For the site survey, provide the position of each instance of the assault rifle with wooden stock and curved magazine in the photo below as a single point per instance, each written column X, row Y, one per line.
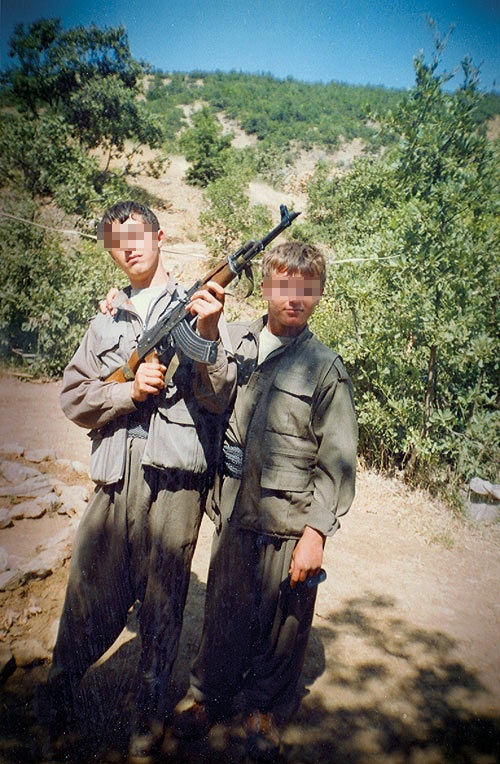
column 173, row 329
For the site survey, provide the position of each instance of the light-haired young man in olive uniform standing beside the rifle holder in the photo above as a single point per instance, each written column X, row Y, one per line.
column 288, row 474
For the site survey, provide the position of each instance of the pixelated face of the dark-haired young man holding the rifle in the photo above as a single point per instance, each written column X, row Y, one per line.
column 135, row 248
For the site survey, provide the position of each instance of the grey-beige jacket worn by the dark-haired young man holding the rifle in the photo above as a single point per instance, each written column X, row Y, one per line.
column 185, row 421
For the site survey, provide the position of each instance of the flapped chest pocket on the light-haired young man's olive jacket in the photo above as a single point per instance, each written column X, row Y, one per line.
column 290, row 404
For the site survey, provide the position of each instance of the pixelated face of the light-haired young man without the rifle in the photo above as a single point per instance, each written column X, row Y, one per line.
column 291, row 299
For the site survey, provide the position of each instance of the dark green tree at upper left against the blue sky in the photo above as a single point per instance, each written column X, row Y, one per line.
column 86, row 75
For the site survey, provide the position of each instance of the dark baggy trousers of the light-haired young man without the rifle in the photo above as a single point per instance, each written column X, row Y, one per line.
column 256, row 628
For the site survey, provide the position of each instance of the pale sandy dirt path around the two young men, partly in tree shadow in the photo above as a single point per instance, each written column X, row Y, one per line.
column 403, row 663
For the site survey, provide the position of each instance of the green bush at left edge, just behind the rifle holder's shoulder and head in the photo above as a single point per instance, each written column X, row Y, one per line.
column 47, row 293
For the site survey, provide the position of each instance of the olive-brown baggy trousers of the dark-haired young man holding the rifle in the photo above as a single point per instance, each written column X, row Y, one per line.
column 135, row 542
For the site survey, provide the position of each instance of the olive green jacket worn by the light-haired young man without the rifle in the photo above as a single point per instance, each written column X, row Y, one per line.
column 294, row 417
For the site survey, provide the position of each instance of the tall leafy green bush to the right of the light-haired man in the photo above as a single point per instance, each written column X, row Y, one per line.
column 418, row 326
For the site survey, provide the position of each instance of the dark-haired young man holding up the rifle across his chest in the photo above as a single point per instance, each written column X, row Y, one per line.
column 154, row 447
